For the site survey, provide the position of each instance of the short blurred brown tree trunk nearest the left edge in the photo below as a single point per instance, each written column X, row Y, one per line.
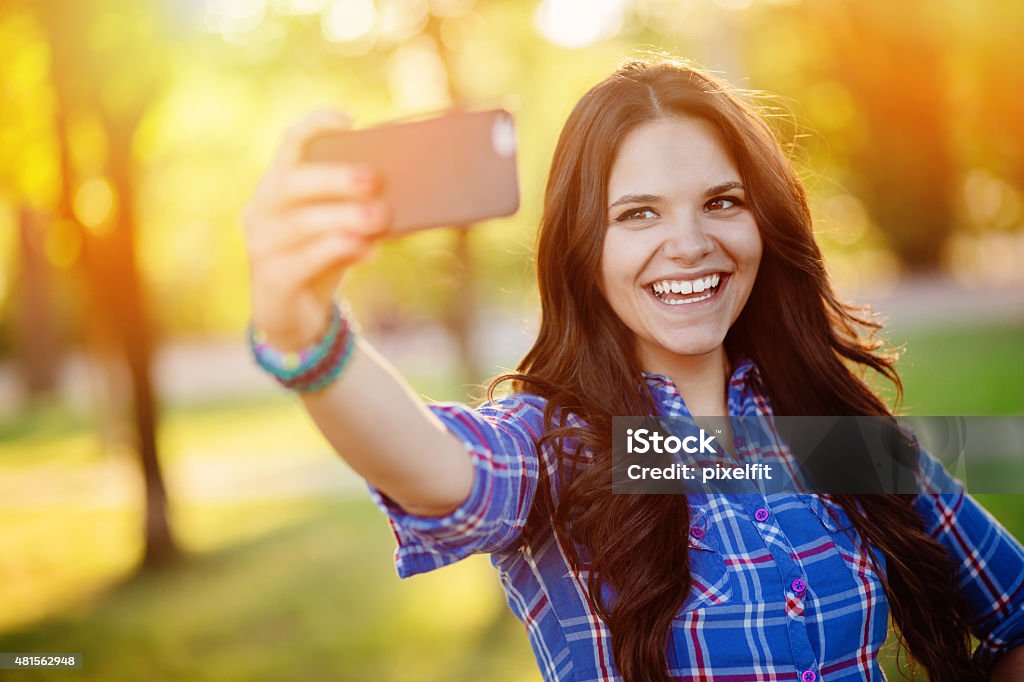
column 38, row 349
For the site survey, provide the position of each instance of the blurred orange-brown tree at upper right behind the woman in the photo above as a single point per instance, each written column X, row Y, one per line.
column 894, row 65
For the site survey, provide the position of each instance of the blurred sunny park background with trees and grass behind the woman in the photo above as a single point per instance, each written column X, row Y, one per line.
column 170, row 515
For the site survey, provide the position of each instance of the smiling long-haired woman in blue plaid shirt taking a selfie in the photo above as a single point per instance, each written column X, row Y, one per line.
column 678, row 276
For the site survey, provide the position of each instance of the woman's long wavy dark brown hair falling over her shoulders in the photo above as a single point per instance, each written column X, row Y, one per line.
column 584, row 363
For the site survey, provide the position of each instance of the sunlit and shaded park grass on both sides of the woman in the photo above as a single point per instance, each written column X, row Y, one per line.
column 306, row 589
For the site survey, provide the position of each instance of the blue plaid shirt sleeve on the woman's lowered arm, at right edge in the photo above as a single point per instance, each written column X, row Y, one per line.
column 991, row 561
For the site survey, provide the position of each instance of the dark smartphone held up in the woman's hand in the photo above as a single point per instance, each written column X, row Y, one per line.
column 454, row 169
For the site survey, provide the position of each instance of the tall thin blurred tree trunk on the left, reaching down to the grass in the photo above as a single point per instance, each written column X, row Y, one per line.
column 117, row 303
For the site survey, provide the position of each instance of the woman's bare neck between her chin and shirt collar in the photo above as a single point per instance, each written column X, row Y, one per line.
column 701, row 380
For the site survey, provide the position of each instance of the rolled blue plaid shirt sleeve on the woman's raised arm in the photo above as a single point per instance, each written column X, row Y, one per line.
column 500, row 439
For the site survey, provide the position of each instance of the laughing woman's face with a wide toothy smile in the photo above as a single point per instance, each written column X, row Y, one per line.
column 681, row 251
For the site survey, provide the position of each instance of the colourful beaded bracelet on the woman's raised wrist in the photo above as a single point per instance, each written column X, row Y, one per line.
column 314, row 368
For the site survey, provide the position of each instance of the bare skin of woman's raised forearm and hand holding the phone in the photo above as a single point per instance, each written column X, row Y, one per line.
column 306, row 227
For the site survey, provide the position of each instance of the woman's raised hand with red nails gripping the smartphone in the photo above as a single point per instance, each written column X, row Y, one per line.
column 306, row 226
